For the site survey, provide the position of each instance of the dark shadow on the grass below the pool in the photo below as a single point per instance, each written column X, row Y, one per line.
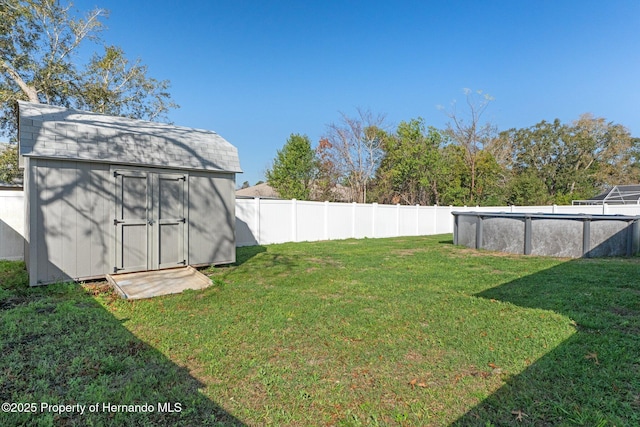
column 591, row 379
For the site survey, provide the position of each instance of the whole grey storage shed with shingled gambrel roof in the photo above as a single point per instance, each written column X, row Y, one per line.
column 110, row 195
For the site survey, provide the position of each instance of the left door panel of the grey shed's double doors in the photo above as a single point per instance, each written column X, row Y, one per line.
column 132, row 224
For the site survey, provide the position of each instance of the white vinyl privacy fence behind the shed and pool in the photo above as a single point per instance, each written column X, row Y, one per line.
column 267, row 221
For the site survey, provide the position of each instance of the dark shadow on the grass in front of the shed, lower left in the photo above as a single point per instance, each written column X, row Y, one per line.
column 60, row 346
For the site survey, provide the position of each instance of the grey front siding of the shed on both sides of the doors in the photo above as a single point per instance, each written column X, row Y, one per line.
column 71, row 206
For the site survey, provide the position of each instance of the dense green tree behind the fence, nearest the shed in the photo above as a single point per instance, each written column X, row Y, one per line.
column 293, row 169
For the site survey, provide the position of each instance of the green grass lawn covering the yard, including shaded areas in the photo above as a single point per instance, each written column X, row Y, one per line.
column 401, row 332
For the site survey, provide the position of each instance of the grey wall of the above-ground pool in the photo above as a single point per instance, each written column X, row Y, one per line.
column 561, row 235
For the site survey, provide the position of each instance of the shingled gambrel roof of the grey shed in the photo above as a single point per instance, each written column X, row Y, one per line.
column 59, row 133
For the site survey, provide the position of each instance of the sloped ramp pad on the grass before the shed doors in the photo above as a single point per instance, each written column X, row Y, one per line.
column 148, row 284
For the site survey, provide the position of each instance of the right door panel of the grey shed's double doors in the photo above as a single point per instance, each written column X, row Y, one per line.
column 169, row 207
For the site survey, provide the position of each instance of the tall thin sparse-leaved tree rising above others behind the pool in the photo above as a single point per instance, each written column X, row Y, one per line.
column 470, row 134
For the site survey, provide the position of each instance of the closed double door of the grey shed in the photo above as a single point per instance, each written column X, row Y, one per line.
column 150, row 220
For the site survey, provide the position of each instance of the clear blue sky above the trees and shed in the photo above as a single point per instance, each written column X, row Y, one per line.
column 258, row 71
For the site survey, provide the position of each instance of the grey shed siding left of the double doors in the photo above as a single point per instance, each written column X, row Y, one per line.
column 71, row 204
